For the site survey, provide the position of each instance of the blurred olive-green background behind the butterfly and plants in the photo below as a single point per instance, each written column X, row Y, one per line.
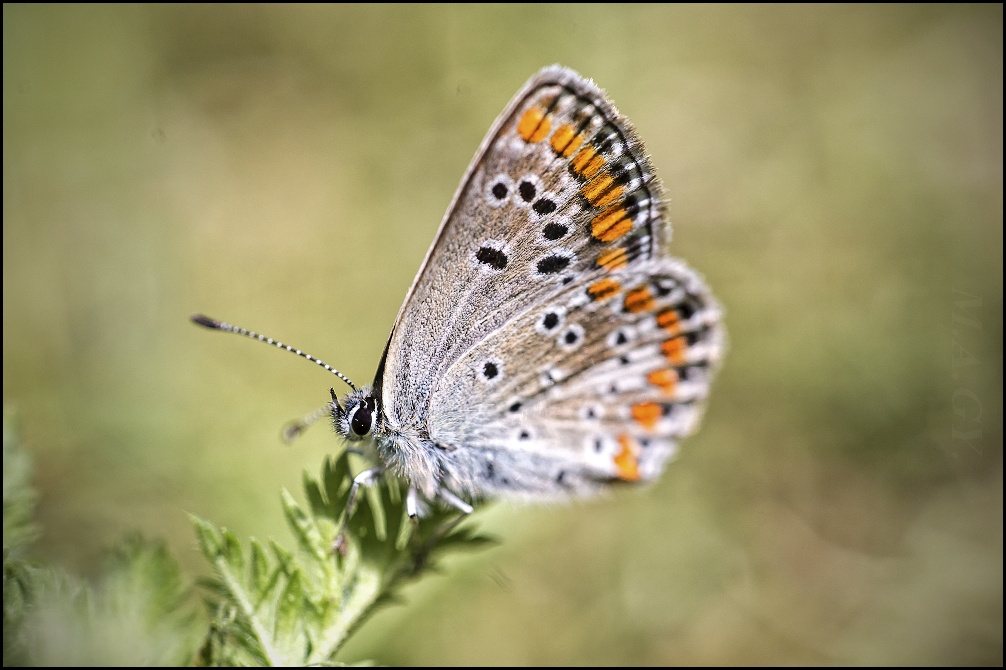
column 835, row 173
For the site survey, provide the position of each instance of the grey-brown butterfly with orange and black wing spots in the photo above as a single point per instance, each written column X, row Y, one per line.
column 549, row 347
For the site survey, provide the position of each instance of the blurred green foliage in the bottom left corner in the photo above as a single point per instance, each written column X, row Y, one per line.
column 136, row 612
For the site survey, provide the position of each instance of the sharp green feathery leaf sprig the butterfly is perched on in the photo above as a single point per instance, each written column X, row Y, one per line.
column 274, row 607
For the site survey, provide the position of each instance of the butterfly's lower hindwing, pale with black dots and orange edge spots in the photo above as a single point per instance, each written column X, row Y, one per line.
column 598, row 391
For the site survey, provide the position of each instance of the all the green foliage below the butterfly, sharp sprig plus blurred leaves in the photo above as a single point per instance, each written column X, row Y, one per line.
column 266, row 605
